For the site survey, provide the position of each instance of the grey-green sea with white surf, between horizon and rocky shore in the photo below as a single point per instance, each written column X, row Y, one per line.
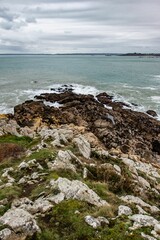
column 131, row 79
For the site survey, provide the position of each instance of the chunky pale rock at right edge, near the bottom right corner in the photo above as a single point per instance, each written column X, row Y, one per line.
column 142, row 221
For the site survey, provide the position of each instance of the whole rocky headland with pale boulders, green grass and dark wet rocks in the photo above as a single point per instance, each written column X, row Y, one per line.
column 79, row 167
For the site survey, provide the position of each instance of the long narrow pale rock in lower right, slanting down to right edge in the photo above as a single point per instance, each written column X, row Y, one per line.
column 138, row 201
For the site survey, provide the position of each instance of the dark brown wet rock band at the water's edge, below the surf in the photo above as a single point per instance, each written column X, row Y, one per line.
column 118, row 127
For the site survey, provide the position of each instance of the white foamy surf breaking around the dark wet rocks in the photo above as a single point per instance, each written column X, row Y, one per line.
column 29, row 94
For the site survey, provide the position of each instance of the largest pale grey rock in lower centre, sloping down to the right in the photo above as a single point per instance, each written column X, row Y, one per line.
column 77, row 190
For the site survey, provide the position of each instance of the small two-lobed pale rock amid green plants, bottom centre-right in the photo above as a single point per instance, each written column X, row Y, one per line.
column 96, row 222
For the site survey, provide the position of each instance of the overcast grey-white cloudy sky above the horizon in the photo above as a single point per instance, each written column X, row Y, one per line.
column 69, row 26
